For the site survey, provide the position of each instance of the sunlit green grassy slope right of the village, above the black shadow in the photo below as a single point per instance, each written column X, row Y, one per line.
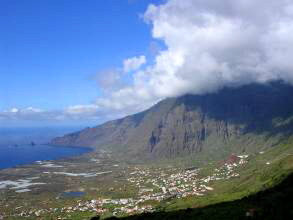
column 255, row 176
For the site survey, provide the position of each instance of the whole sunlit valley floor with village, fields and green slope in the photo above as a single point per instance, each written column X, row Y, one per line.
column 99, row 184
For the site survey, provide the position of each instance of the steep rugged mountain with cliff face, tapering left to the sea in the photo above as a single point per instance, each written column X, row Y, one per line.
column 244, row 119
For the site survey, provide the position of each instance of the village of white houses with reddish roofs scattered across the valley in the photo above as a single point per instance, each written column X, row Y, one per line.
column 153, row 185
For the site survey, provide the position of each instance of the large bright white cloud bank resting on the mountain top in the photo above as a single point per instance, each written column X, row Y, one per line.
column 209, row 44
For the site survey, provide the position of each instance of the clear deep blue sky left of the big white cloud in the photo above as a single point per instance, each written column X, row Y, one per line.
column 50, row 49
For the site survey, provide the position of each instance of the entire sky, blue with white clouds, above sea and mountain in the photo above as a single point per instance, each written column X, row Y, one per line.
column 82, row 62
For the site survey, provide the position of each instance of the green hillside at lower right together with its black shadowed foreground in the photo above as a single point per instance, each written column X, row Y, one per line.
column 263, row 191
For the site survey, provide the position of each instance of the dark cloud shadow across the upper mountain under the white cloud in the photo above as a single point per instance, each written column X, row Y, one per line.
column 253, row 105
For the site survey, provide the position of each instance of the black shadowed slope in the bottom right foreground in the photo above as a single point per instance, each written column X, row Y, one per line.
column 272, row 204
